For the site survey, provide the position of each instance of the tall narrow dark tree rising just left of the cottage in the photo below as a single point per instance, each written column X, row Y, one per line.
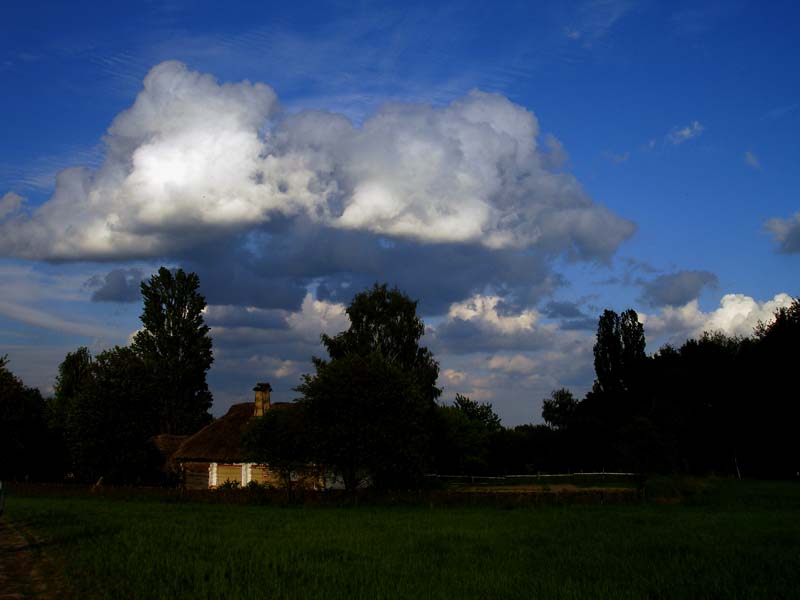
column 176, row 349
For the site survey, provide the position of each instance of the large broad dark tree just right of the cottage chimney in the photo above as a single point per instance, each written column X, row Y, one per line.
column 372, row 404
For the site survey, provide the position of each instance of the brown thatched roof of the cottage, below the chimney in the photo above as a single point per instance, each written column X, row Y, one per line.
column 220, row 440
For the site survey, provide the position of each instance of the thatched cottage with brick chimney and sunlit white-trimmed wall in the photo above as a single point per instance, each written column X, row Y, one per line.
column 214, row 455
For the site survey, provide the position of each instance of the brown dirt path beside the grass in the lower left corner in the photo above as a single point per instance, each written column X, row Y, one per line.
column 24, row 570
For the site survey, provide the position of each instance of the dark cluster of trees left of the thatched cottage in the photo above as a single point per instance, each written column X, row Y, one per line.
column 106, row 408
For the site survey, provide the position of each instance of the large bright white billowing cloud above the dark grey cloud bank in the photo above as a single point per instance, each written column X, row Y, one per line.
column 195, row 160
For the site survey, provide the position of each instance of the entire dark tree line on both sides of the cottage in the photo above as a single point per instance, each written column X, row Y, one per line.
column 371, row 412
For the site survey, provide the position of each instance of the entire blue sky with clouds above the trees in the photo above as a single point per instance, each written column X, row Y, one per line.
column 515, row 167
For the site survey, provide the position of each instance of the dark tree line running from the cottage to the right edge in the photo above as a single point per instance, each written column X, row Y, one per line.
column 716, row 404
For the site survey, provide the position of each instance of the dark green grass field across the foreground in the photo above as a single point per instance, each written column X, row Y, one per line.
column 726, row 540
